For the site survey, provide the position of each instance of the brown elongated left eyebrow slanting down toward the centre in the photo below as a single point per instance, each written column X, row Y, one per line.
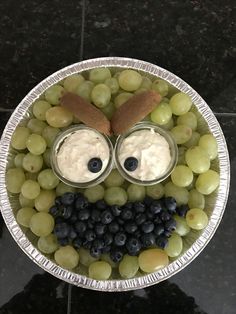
column 86, row 112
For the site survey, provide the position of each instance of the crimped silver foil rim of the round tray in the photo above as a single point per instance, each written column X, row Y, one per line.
column 194, row 244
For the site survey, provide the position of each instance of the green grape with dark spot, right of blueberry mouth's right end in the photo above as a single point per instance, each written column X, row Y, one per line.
column 196, row 219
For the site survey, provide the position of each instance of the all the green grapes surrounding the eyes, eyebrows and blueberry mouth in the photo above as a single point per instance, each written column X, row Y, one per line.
column 33, row 180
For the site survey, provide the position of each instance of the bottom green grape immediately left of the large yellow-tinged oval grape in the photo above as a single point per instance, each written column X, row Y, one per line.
column 129, row 266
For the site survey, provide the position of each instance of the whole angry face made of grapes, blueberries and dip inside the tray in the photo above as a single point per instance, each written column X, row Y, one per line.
column 111, row 171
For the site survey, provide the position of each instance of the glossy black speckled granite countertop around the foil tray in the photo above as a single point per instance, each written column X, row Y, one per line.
column 195, row 40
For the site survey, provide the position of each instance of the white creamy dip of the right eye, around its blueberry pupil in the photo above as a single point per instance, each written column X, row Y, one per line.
column 152, row 152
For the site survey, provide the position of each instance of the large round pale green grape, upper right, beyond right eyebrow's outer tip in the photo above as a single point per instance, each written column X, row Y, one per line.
column 180, row 103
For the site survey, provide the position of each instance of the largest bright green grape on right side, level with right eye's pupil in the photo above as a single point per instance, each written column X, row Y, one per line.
column 197, row 159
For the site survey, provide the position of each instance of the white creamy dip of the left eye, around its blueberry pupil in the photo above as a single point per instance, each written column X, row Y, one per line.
column 76, row 151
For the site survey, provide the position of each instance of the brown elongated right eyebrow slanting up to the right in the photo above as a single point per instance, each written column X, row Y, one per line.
column 134, row 110
